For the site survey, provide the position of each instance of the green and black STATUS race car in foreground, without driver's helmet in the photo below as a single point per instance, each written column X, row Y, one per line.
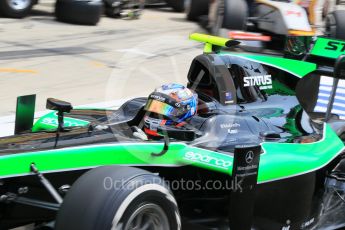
column 258, row 155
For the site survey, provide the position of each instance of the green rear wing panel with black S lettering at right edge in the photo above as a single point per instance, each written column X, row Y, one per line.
column 322, row 48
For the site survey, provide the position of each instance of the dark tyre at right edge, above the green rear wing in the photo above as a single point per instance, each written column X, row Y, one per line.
column 335, row 24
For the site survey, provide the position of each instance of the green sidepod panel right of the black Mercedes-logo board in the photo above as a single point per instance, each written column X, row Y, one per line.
column 290, row 159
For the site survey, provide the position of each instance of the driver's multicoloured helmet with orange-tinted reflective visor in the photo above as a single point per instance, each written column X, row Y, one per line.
column 169, row 105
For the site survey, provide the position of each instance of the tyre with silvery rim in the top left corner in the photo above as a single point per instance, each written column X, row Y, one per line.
column 15, row 8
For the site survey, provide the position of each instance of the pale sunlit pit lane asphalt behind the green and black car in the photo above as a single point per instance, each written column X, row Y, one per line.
column 91, row 64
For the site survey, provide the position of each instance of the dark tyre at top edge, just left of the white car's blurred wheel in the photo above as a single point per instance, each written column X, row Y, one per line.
column 196, row 8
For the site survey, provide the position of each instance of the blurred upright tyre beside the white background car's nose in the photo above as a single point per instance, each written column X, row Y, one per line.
column 235, row 14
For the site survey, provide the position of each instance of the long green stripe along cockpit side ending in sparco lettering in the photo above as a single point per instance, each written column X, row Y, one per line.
column 107, row 154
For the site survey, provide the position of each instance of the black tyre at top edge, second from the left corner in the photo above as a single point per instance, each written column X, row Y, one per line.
column 85, row 12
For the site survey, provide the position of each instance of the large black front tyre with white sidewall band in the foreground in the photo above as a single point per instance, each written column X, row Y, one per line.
column 118, row 198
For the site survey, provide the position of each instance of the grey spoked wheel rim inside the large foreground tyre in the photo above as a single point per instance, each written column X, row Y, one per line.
column 148, row 217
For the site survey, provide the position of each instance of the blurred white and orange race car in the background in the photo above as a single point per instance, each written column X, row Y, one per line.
column 261, row 23
